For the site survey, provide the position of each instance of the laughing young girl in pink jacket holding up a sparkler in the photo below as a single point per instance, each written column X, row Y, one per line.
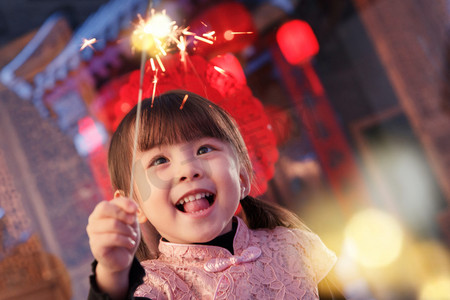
column 191, row 172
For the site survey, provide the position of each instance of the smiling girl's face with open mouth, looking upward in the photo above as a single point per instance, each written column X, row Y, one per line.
column 191, row 190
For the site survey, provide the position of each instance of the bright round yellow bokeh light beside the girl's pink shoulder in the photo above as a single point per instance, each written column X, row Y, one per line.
column 373, row 238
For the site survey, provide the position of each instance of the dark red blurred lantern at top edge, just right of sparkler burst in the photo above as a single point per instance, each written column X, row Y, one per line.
column 233, row 27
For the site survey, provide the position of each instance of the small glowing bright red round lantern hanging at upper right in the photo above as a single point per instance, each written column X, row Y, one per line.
column 297, row 42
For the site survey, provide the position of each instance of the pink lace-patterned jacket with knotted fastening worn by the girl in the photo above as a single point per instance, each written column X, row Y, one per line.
column 268, row 264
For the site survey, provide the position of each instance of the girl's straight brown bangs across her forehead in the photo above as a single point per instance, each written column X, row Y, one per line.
column 170, row 121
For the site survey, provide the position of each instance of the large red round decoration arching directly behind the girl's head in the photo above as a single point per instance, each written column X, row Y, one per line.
column 199, row 76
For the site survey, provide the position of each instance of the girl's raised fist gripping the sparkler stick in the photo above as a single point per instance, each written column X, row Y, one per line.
column 114, row 235
